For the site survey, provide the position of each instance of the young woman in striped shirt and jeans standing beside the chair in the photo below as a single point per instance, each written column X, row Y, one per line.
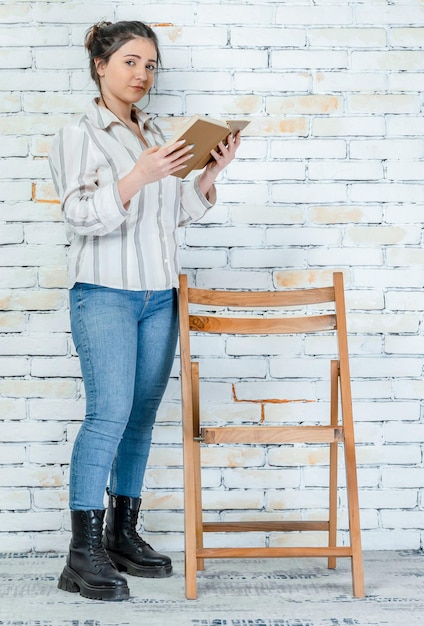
column 122, row 209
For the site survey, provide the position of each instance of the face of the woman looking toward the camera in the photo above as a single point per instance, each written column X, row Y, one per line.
column 130, row 71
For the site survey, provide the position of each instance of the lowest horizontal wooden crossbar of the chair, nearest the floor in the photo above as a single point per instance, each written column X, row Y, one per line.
column 264, row 553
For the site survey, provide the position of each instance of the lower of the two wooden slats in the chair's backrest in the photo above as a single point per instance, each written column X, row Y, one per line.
column 261, row 326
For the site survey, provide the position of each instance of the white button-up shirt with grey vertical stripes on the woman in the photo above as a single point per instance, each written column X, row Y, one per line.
column 135, row 249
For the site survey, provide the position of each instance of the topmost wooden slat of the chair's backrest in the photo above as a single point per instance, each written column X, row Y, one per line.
column 264, row 299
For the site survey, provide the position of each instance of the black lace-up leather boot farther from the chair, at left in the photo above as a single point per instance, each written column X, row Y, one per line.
column 88, row 568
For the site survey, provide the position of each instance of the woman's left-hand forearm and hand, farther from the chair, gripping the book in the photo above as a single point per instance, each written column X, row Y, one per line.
column 154, row 164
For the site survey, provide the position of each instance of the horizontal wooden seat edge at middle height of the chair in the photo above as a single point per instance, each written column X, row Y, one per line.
column 272, row 434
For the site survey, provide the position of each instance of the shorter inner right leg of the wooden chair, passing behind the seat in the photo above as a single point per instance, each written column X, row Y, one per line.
column 332, row 530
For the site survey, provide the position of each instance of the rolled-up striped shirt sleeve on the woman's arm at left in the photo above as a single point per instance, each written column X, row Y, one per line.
column 89, row 209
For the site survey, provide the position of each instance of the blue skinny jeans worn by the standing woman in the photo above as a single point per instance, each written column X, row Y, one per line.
column 126, row 345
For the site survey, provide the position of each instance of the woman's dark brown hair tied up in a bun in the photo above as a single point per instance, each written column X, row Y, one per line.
column 105, row 38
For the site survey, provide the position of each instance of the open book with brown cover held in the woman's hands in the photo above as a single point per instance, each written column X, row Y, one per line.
column 205, row 133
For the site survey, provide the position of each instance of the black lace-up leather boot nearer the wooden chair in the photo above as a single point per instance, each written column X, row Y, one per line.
column 126, row 548
